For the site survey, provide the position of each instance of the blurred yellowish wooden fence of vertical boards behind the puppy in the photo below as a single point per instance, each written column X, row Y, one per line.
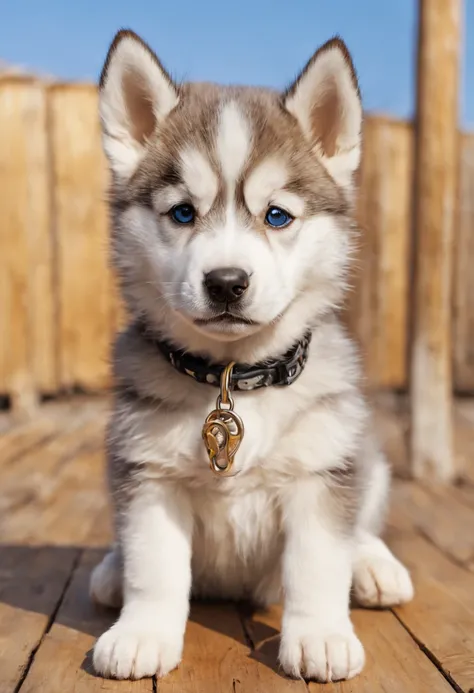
column 58, row 305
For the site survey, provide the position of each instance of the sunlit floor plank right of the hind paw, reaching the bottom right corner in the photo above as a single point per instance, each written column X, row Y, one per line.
column 441, row 616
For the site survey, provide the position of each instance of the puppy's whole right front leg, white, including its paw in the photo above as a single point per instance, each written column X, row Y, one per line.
column 318, row 639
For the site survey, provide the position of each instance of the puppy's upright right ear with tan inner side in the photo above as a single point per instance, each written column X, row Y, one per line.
column 326, row 102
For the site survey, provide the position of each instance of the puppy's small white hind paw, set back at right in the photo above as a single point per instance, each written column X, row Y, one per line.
column 381, row 581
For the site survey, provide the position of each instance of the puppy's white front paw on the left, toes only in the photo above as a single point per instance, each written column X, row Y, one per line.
column 133, row 650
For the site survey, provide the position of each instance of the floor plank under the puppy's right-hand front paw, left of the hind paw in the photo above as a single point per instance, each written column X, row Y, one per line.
column 394, row 663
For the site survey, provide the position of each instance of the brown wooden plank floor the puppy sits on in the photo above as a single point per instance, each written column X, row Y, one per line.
column 54, row 526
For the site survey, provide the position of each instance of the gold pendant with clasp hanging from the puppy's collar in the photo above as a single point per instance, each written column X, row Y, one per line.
column 223, row 429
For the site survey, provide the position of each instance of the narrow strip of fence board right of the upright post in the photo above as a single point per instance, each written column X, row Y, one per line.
column 463, row 327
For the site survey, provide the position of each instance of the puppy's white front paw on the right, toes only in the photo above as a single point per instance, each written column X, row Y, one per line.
column 325, row 654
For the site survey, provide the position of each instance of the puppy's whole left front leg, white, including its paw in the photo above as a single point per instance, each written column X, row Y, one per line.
column 155, row 533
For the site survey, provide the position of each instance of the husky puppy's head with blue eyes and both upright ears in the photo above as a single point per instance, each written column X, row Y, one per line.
column 229, row 204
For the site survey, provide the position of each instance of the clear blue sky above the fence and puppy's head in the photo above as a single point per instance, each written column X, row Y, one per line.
column 242, row 41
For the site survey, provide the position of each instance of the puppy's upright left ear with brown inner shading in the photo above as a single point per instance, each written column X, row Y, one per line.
column 135, row 95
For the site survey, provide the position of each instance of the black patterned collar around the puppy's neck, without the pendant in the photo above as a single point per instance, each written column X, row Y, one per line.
column 282, row 371
